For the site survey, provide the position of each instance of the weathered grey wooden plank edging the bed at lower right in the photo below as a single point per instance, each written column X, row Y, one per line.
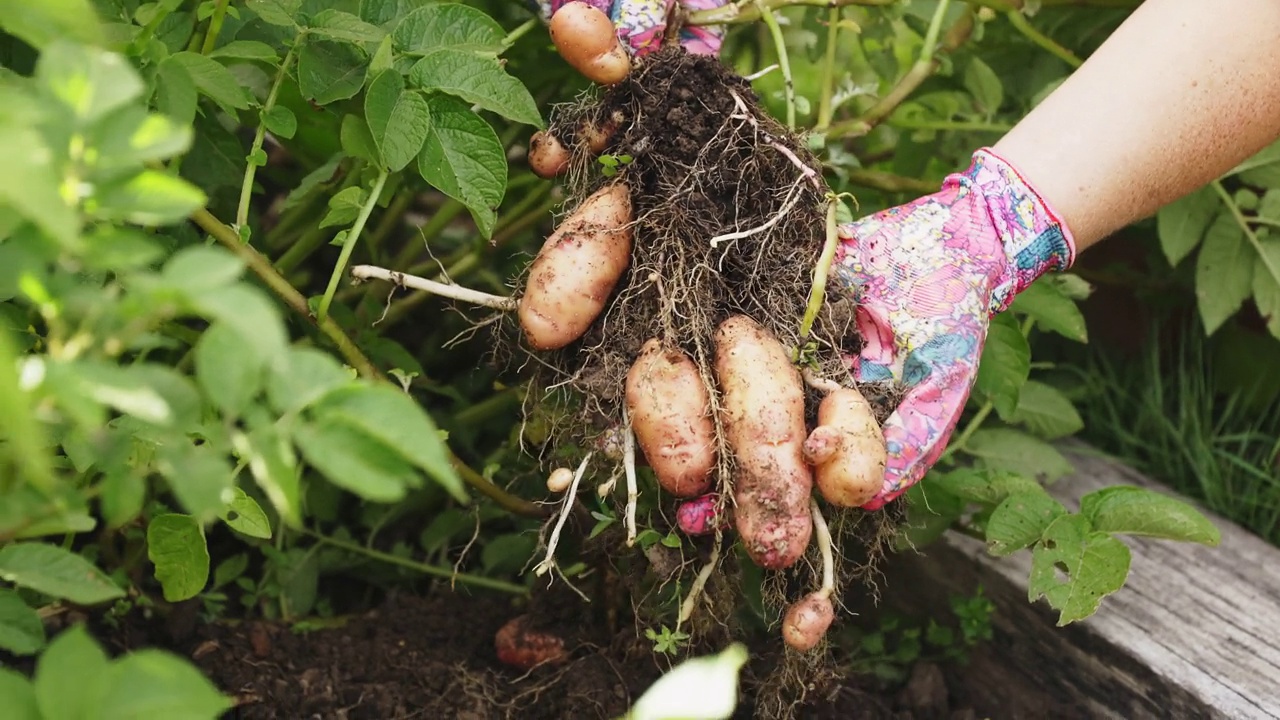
column 1195, row 634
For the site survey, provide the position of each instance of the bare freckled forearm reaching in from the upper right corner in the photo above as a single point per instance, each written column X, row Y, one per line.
column 1182, row 93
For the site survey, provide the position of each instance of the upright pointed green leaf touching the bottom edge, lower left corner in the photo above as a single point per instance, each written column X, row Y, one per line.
column 76, row 658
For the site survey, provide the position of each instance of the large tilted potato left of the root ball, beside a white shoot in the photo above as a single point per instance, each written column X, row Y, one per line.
column 577, row 270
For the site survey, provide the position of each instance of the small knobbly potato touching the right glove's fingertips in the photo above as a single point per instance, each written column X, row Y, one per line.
column 847, row 450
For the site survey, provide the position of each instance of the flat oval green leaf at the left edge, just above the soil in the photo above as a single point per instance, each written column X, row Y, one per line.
column 57, row 573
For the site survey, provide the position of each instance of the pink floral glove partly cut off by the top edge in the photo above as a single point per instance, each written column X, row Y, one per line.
column 643, row 24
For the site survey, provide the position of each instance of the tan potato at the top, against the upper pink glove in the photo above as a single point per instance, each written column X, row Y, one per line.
column 588, row 42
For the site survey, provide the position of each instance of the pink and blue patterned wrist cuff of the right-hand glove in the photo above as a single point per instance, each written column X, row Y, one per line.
column 1035, row 238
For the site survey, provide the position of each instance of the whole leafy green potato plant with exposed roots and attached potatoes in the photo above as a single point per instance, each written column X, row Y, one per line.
column 199, row 405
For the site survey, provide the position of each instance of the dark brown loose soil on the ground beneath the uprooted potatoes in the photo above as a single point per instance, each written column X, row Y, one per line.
column 435, row 658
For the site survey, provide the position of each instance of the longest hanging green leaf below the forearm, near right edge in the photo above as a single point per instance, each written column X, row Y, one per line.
column 1223, row 272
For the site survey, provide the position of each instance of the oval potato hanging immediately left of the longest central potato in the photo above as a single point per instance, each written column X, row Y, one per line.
column 671, row 416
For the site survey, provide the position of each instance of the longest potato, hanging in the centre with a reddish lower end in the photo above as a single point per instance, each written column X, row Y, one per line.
column 764, row 417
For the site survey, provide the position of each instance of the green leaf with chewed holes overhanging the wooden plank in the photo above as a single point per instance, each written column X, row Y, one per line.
column 1095, row 566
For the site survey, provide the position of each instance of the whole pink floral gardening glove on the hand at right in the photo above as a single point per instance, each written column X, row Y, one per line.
column 929, row 276
